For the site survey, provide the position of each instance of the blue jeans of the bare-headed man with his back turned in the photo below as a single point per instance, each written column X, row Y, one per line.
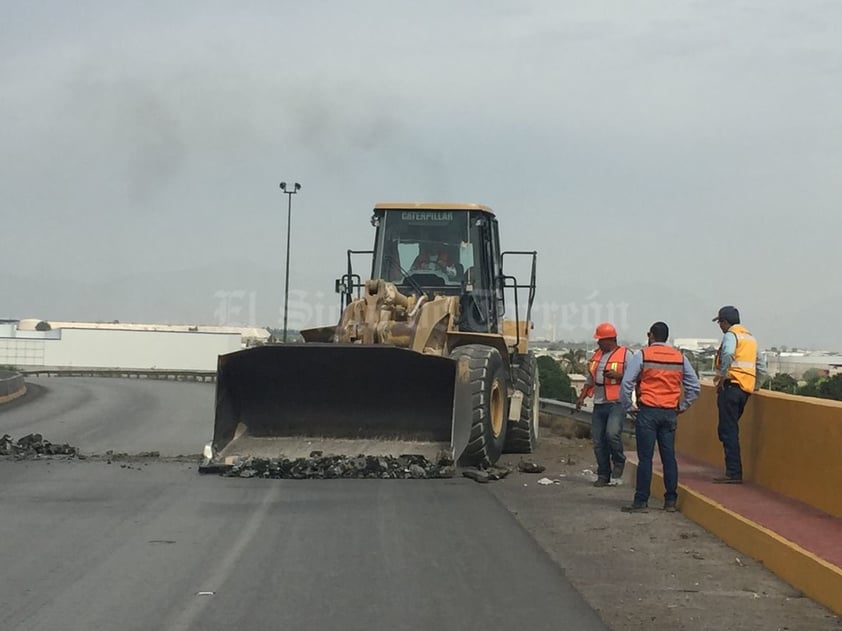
column 655, row 424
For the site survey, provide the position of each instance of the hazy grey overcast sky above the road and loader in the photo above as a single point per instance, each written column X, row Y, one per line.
column 670, row 157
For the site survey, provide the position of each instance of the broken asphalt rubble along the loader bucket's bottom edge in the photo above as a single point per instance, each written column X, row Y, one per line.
column 319, row 466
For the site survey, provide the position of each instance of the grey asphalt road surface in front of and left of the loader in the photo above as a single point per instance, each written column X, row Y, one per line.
column 153, row 545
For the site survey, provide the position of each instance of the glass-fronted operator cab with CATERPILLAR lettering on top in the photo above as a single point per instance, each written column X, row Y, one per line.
column 450, row 249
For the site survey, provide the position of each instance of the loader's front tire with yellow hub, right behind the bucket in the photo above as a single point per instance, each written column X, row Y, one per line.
column 489, row 404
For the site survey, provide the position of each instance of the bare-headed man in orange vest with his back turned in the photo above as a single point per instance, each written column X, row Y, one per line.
column 661, row 373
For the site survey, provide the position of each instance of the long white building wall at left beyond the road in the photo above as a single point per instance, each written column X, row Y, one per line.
column 93, row 348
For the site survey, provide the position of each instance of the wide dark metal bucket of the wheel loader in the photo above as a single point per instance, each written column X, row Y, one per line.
column 289, row 400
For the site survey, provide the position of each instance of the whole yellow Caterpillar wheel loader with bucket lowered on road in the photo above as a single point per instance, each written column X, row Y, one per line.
column 421, row 360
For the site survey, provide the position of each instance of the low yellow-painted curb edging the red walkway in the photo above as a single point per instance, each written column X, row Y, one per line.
column 815, row 577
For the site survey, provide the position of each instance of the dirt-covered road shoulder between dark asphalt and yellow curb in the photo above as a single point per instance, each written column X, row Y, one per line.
column 645, row 571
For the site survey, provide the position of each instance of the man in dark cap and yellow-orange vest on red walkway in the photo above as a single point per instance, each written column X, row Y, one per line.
column 737, row 365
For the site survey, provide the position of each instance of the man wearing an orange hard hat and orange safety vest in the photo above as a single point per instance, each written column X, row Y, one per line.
column 605, row 372
